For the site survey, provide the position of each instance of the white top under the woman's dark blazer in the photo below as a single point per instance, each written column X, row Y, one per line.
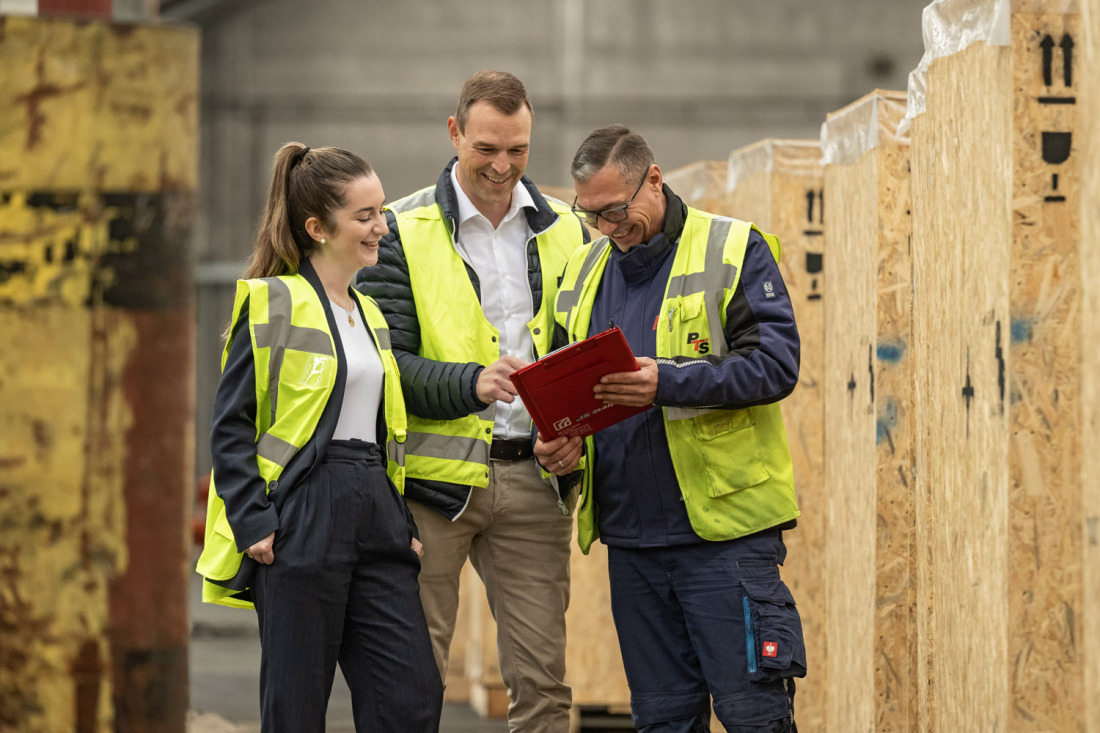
column 359, row 414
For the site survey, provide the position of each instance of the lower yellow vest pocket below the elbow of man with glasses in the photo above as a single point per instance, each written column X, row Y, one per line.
column 736, row 462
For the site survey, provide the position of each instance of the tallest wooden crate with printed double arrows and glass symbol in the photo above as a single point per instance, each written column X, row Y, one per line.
column 997, row 337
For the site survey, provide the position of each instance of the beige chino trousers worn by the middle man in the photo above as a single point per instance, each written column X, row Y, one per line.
column 519, row 542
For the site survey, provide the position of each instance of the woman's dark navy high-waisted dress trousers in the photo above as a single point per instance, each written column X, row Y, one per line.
column 344, row 588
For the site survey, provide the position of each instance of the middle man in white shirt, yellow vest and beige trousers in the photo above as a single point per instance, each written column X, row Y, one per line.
column 467, row 279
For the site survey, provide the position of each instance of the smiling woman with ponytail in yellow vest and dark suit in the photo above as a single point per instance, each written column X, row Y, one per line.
column 306, row 522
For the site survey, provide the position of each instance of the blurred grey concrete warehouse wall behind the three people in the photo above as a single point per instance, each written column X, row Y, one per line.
column 698, row 78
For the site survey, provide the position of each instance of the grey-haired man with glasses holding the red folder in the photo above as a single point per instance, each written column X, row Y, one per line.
column 692, row 497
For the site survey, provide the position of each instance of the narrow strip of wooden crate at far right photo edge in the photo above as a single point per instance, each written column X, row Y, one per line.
column 1088, row 527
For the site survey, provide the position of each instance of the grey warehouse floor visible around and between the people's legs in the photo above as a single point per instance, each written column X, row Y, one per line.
column 225, row 664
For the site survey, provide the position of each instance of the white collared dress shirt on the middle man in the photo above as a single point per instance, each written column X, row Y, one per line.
column 500, row 259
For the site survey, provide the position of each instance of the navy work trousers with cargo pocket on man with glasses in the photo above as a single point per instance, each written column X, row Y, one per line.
column 702, row 620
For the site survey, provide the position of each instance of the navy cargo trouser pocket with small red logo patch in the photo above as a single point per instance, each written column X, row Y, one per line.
column 773, row 631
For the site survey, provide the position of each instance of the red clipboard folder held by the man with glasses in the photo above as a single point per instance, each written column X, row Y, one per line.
column 557, row 389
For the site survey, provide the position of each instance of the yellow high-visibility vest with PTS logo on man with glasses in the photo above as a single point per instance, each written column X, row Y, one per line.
column 733, row 466
